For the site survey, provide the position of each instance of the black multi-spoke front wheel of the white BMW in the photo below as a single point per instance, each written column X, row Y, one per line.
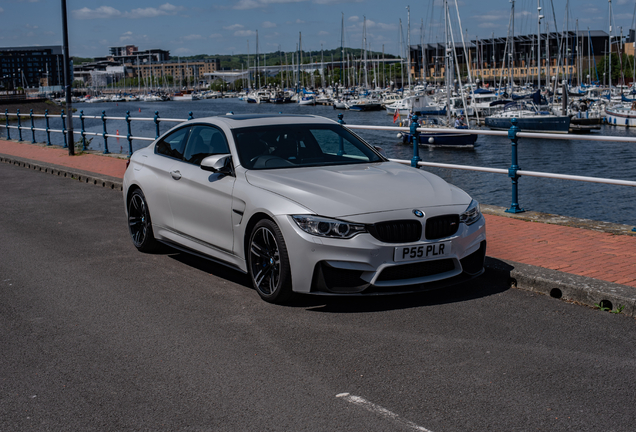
column 268, row 262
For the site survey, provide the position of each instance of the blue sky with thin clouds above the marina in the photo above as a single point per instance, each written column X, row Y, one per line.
column 226, row 27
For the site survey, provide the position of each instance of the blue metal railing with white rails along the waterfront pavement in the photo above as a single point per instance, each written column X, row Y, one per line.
column 514, row 133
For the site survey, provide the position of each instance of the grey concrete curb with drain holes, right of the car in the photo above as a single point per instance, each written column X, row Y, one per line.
column 584, row 290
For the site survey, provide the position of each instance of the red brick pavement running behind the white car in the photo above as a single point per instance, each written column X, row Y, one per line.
column 578, row 251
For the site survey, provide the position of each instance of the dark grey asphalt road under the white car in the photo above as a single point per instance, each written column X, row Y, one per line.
column 97, row 336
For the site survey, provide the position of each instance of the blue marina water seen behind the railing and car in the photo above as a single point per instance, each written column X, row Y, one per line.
column 569, row 198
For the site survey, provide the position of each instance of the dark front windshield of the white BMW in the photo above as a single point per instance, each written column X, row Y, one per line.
column 300, row 145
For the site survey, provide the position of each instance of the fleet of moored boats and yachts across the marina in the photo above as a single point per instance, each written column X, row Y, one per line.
column 580, row 109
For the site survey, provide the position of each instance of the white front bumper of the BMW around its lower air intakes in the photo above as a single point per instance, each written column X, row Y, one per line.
column 364, row 265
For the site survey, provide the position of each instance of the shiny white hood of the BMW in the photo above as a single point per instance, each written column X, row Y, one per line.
column 344, row 190
